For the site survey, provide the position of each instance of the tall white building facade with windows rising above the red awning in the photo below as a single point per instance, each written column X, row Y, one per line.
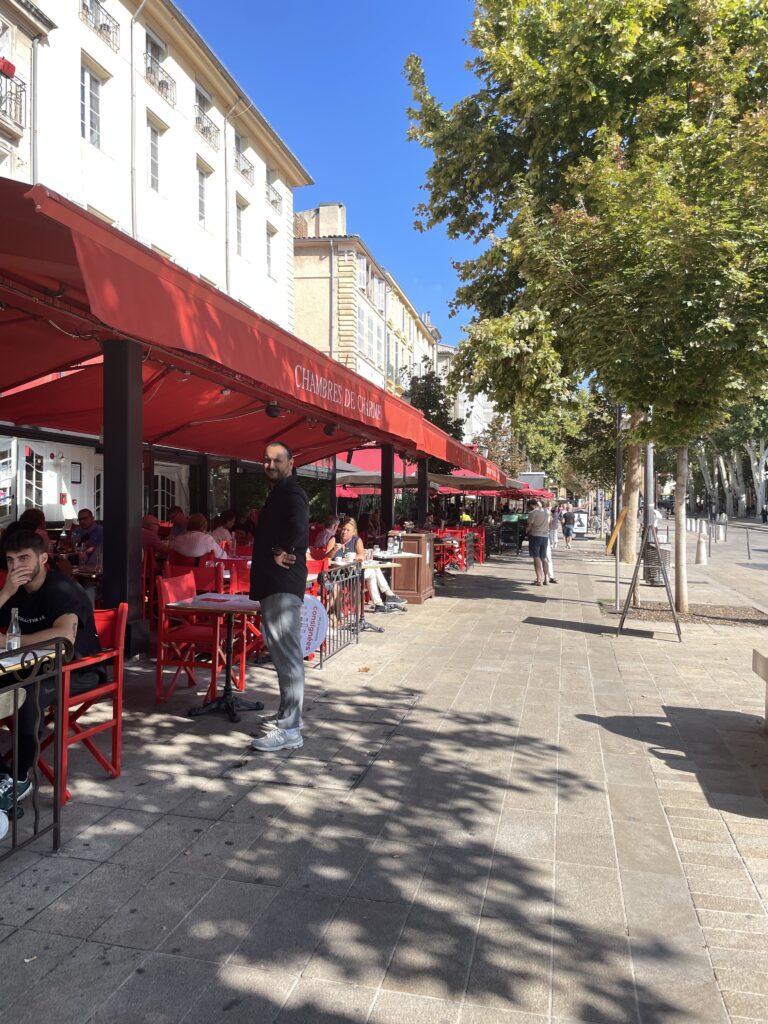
column 138, row 121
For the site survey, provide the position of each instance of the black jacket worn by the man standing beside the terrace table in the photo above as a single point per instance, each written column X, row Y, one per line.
column 284, row 523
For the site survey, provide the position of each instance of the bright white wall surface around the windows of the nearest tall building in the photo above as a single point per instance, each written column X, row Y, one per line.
column 101, row 178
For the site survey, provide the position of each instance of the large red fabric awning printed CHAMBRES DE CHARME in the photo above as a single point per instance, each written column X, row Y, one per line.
column 69, row 281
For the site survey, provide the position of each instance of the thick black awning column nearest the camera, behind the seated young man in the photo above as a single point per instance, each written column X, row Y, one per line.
column 123, row 486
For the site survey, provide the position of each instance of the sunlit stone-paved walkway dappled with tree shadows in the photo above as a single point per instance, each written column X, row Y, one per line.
column 502, row 815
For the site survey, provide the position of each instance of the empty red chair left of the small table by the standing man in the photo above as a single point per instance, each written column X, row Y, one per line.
column 182, row 636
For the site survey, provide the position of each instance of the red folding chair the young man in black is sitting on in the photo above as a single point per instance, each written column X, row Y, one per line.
column 111, row 628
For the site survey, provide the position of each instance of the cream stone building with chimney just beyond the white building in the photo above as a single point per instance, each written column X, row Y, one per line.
column 350, row 308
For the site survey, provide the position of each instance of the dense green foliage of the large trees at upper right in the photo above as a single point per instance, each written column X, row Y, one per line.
column 613, row 161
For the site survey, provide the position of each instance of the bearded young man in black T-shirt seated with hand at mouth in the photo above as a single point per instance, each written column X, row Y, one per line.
column 51, row 606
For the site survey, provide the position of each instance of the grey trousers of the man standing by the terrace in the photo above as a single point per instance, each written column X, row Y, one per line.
column 281, row 625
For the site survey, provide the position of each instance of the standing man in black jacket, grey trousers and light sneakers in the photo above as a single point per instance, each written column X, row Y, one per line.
column 279, row 581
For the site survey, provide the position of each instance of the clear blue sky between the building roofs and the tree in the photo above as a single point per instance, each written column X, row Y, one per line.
column 329, row 78
